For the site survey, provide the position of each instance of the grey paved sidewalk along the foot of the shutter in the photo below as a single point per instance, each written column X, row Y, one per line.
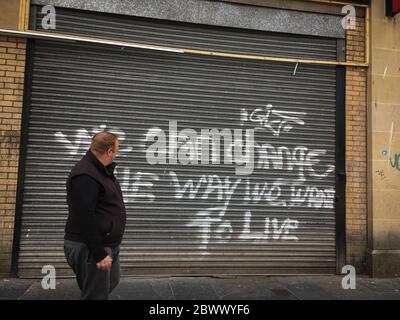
column 214, row 288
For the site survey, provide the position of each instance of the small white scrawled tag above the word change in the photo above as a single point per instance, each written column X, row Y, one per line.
column 273, row 120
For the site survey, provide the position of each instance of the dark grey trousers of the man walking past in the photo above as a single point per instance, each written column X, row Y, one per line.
column 95, row 284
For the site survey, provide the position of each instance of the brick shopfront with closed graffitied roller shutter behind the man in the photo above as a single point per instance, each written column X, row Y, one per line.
column 244, row 129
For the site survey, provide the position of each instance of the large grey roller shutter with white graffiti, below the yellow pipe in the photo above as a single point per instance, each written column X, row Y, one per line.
column 187, row 218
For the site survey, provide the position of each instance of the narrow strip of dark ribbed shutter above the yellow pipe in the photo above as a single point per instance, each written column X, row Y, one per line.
column 184, row 35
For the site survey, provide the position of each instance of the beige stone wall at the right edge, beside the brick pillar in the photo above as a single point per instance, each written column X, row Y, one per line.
column 383, row 141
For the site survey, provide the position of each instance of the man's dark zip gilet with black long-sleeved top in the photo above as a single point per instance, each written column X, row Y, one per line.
column 96, row 208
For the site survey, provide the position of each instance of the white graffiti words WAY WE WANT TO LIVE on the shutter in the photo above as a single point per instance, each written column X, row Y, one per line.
column 212, row 222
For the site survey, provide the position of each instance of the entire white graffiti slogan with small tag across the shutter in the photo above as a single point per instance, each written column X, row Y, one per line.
column 219, row 196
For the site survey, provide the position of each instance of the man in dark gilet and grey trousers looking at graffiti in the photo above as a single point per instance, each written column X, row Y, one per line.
column 96, row 220
